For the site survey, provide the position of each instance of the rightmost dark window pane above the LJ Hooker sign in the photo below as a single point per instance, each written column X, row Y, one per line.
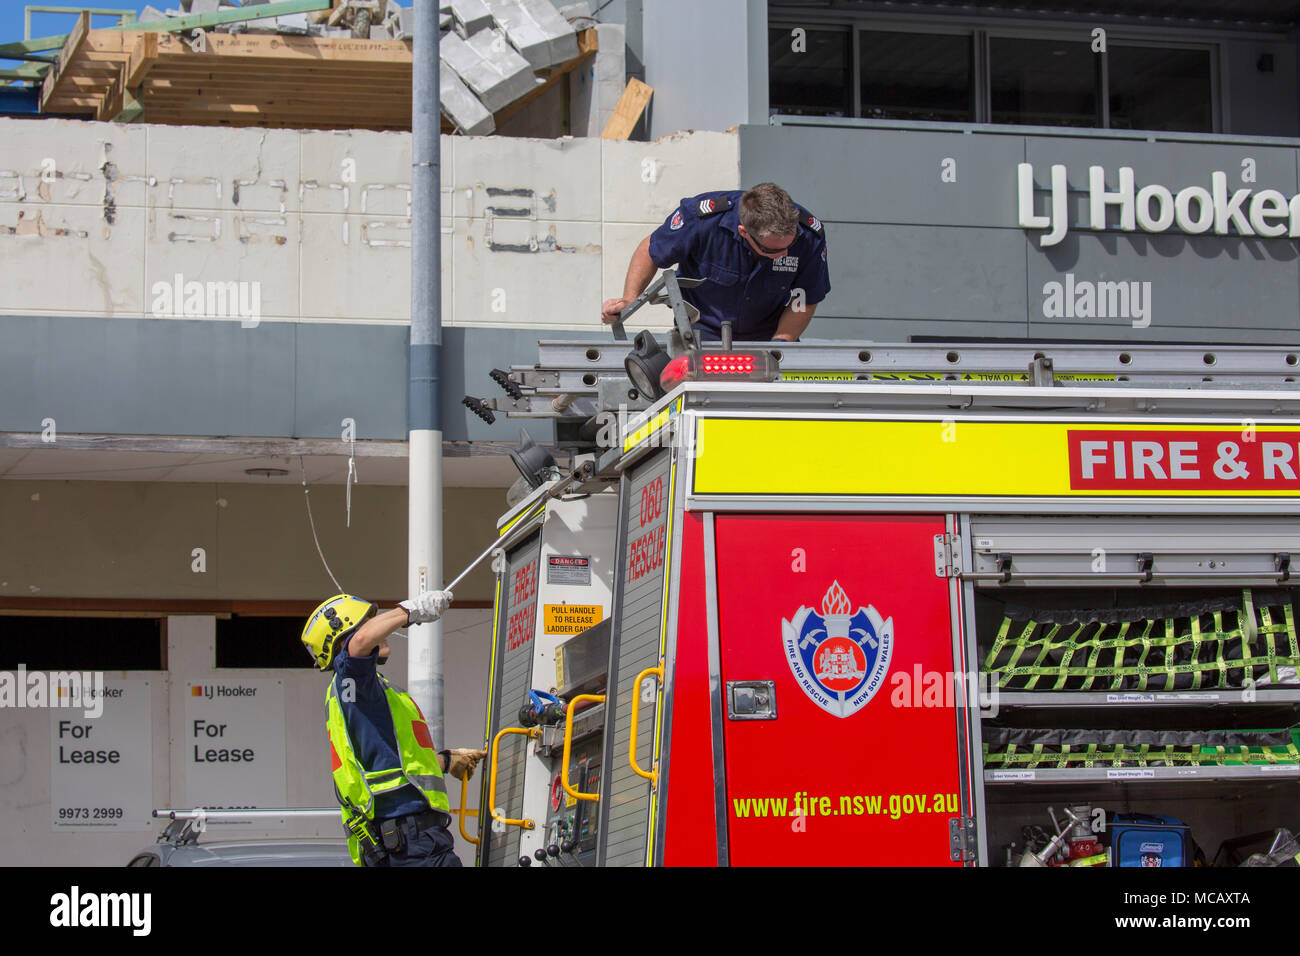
column 1159, row 89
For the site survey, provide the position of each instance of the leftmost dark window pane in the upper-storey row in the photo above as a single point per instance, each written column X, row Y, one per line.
column 809, row 72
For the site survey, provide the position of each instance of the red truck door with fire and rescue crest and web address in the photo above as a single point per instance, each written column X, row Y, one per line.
column 839, row 726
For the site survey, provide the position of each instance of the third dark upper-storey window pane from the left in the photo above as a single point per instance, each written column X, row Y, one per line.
column 1039, row 83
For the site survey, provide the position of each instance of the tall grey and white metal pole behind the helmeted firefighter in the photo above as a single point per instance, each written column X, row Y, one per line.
column 424, row 416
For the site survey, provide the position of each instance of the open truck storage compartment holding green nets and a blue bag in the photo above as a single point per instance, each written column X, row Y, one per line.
column 1132, row 699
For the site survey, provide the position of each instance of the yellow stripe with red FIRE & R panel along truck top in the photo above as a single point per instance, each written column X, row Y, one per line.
column 951, row 457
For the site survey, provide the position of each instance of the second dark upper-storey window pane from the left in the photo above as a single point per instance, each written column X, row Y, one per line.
column 916, row 76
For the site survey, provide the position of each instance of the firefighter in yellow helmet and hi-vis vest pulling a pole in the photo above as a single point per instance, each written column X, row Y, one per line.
column 387, row 775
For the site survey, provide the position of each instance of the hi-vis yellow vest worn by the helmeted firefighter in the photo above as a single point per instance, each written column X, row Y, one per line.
column 421, row 769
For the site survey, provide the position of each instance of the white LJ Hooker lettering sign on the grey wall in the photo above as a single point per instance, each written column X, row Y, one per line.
column 1155, row 209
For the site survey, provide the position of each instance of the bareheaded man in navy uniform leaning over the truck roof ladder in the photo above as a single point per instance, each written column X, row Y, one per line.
column 764, row 258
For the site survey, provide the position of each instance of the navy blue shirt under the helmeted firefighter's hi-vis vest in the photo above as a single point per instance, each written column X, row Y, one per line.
column 370, row 728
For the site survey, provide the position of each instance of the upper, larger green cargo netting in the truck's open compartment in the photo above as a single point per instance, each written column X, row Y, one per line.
column 1219, row 643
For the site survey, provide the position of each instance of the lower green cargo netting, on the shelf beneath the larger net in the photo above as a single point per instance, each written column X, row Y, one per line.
column 1012, row 749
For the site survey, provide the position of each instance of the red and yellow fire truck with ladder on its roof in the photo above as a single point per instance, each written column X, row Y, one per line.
column 764, row 628
